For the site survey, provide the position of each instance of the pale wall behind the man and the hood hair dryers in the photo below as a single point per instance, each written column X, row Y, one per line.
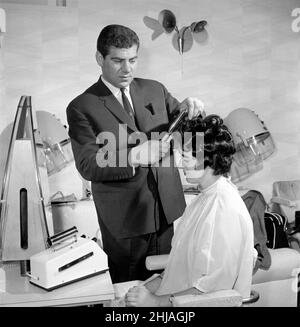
column 251, row 59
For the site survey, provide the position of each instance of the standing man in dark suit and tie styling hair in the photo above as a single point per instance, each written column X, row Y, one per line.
column 136, row 200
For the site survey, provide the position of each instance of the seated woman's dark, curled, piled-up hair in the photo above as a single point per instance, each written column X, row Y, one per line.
column 218, row 142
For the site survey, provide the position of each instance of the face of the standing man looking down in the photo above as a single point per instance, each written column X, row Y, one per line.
column 119, row 65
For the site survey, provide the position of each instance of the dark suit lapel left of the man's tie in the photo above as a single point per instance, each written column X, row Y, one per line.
column 113, row 105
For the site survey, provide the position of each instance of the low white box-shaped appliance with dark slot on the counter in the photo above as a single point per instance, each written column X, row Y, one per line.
column 69, row 259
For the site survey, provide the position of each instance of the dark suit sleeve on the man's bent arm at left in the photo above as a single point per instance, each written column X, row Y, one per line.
column 87, row 152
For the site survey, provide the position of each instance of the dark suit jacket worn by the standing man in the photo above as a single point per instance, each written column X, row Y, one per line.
column 124, row 199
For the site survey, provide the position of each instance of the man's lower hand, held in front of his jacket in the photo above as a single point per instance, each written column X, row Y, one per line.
column 148, row 153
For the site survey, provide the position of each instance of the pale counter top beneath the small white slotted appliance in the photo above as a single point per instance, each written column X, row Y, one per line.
column 17, row 291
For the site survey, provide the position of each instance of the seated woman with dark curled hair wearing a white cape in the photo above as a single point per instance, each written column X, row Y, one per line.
column 213, row 244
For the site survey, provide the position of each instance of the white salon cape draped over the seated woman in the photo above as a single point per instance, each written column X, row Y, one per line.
column 213, row 245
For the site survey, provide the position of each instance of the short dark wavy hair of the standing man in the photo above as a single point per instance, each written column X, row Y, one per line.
column 117, row 36
